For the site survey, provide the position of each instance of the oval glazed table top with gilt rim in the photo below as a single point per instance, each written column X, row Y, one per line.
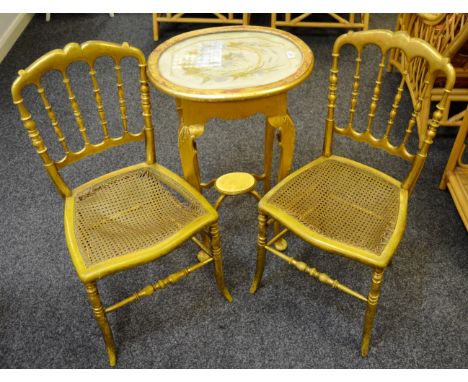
column 229, row 63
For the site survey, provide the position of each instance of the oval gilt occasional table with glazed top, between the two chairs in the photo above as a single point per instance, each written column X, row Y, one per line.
column 232, row 73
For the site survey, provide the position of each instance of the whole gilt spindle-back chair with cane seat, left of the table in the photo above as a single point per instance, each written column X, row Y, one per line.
column 127, row 217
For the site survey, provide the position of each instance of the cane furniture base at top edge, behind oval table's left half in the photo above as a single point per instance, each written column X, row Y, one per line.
column 219, row 18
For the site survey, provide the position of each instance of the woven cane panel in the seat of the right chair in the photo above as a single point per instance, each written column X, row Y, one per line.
column 342, row 202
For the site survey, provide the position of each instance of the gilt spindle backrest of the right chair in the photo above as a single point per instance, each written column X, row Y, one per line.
column 412, row 48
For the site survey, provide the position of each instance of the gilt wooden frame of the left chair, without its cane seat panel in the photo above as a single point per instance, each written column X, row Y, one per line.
column 59, row 60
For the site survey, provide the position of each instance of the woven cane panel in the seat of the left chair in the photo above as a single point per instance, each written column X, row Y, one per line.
column 130, row 212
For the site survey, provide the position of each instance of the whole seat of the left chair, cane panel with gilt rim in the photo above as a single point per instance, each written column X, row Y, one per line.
column 125, row 213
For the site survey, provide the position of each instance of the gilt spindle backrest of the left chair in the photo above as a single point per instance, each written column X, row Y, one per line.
column 59, row 60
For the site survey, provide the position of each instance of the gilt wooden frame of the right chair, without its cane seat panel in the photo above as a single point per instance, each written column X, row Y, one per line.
column 269, row 213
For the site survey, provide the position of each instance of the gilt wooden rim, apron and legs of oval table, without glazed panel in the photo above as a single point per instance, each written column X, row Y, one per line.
column 196, row 106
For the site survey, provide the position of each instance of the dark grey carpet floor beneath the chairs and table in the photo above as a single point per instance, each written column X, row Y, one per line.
column 293, row 321
